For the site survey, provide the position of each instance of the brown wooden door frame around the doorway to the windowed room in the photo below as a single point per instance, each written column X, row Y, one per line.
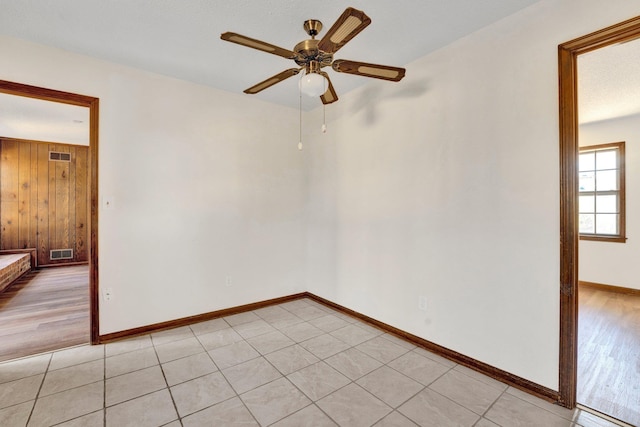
column 568, row 78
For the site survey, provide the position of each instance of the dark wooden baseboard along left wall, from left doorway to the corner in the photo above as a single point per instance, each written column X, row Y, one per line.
column 143, row 330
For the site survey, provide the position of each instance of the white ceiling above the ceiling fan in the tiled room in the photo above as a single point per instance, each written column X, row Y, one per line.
column 181, row 38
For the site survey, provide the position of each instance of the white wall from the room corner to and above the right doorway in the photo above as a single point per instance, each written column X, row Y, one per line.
column 446, row 185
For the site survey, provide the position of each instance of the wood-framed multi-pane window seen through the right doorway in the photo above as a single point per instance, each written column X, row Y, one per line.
column 601, row 192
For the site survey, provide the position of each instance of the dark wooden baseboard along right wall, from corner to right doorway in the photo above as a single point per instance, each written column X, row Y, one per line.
column 486, row 369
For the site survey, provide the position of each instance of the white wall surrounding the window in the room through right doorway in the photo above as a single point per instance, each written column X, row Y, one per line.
column 616, row 264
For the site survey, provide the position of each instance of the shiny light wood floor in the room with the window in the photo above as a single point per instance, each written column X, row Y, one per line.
column 609, row 353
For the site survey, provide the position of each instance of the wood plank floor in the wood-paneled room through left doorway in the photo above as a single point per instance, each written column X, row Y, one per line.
column 45, row 310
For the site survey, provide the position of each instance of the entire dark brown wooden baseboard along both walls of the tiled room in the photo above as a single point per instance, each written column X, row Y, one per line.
column 486, row 369
